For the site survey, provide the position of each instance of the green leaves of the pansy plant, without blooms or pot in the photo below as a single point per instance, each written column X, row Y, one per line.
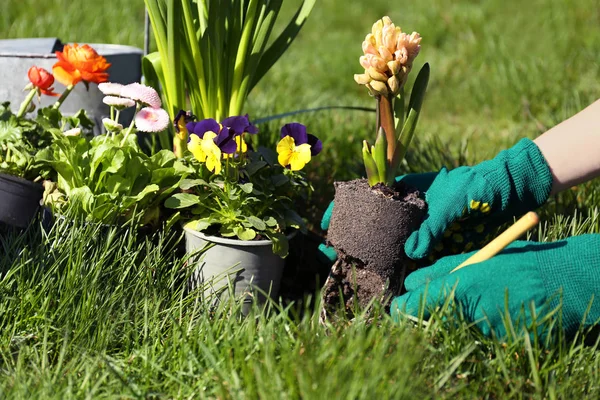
column 253, row 198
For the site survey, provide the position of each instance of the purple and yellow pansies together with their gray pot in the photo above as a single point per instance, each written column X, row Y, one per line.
column 240, row 200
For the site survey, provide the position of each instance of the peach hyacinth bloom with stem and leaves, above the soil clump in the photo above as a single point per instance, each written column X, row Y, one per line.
column 388, row 58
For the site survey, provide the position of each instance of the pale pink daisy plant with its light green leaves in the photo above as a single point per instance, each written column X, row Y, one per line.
column 108, row 179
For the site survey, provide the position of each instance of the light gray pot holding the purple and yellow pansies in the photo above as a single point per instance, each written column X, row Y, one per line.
column 245, row 265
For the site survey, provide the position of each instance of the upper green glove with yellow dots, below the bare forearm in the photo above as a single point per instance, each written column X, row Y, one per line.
column 466, row 204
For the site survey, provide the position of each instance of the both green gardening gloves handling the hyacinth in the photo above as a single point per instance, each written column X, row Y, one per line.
column 526, row 283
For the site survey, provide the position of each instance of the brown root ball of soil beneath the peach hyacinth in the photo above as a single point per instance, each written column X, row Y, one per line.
column 368, row 229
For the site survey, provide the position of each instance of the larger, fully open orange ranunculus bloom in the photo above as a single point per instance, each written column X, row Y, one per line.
column 80, row 63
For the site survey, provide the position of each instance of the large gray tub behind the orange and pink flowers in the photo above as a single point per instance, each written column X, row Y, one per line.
column 18, row 55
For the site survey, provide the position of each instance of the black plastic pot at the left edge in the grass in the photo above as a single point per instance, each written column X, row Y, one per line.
column 19, row 200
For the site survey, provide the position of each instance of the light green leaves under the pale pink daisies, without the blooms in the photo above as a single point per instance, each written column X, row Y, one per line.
column 102, row 180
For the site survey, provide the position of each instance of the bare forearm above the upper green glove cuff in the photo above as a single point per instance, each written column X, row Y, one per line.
column 572, row 148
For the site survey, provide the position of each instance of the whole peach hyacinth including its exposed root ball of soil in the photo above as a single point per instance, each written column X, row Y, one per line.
column 373, row 217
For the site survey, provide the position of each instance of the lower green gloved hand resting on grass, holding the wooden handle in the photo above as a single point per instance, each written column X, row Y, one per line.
column 525, row 272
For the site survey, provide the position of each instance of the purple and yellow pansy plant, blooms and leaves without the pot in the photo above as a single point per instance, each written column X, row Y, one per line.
column 238, row 191
